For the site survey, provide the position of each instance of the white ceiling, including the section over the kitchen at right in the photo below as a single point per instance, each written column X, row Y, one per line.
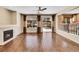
column 49, row 10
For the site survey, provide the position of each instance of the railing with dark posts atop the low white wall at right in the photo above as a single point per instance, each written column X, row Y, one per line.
column 70, row 28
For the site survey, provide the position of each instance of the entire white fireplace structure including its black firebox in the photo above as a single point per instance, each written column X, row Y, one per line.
column 6, row 34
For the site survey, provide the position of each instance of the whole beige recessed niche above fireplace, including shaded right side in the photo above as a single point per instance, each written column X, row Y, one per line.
column 7, row 17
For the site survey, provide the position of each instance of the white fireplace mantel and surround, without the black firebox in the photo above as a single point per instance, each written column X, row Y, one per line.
column 4, row 28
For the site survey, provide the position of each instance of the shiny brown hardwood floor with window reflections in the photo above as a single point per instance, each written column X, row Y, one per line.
column 46, row 42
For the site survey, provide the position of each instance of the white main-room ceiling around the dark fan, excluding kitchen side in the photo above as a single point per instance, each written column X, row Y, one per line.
column 33, row 9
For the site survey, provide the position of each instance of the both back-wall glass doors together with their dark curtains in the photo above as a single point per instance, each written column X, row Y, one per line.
column 33, row 23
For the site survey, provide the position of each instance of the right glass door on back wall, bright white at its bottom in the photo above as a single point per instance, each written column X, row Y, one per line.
column 46, row 23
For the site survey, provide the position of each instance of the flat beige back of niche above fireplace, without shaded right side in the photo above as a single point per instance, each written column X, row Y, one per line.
column 5, row 17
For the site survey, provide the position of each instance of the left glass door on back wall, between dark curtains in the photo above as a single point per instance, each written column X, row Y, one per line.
column 31, row 24
